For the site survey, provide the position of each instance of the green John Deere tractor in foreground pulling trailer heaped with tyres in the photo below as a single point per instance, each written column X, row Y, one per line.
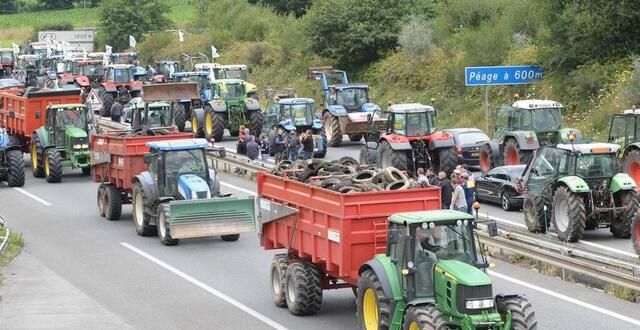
column 431, row 278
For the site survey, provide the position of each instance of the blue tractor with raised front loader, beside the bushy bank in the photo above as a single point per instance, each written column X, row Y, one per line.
column 346, row 106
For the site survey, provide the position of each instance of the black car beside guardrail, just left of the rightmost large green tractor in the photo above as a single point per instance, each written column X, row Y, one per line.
column 500, row 185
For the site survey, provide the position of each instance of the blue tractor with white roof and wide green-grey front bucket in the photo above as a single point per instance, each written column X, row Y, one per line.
column 179, row 196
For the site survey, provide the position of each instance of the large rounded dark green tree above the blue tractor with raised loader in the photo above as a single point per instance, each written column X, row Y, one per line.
column 354, row 32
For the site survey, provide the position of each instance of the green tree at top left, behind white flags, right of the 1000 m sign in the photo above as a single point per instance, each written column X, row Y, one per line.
column 120, row 18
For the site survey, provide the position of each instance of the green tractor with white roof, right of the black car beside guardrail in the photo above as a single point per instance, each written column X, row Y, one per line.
column 578, row 187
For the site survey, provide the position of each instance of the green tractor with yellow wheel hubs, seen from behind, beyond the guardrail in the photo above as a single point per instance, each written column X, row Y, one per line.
column 229, row 108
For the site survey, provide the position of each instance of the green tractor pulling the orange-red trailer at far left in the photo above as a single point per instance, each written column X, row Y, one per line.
column 63, row 141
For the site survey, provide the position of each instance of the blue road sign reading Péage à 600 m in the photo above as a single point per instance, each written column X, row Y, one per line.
column 502, row 75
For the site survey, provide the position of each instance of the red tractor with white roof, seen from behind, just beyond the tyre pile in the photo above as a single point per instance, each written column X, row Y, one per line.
column 410, row 141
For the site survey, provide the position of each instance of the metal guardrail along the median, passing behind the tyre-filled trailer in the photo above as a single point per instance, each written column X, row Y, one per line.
column 611, row 267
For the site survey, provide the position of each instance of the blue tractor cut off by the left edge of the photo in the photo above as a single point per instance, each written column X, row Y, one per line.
column 11, row 160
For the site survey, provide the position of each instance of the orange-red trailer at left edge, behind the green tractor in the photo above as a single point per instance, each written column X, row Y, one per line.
column 22, row 114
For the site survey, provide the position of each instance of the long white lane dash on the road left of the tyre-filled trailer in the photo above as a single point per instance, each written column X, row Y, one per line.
column 205, row 287
